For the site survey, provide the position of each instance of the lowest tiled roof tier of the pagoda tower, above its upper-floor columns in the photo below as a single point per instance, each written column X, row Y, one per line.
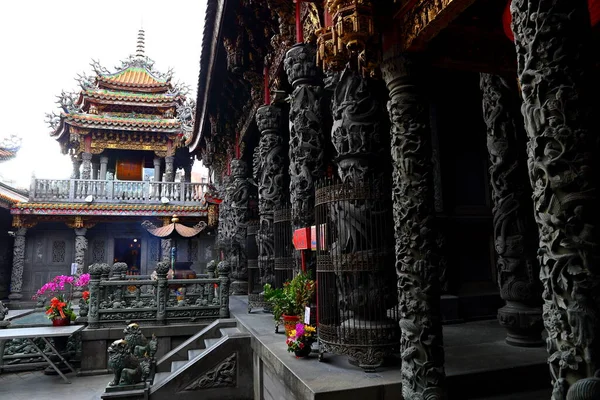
column 123, row 123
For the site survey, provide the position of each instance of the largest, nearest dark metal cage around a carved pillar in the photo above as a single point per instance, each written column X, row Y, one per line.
column 356, row 279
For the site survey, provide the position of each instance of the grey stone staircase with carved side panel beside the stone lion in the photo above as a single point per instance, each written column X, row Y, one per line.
column 216, row 363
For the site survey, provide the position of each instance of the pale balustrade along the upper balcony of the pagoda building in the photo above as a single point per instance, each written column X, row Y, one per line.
column 103, row 191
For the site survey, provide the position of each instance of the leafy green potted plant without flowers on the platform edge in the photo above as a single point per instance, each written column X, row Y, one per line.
column 289, row 302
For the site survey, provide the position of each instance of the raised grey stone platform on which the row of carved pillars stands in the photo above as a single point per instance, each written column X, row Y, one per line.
column 479, row 364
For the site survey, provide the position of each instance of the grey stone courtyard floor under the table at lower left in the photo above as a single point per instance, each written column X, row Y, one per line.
column 37, row 386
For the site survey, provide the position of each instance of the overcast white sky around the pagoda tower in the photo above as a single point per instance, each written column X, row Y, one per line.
column 45, row 44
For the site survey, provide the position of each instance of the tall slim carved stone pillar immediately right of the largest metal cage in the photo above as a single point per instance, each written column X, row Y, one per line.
column 421, row 342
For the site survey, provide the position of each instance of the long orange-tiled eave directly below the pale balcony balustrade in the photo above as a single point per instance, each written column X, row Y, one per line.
column 107, row 209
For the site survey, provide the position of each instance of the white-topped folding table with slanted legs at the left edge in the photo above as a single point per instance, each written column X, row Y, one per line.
column 43, row 333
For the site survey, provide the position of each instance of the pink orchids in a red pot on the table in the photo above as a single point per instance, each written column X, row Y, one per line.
column 60, row 290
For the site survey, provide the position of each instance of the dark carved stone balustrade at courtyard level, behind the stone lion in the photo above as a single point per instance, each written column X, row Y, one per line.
column 157, row 302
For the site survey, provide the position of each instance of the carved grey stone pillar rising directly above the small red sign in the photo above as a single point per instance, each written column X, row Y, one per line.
column 306, row 146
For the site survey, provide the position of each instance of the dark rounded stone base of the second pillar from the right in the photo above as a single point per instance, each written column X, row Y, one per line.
column 524, row 324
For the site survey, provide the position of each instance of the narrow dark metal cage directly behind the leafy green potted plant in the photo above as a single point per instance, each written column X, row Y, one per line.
column 284, row 248
